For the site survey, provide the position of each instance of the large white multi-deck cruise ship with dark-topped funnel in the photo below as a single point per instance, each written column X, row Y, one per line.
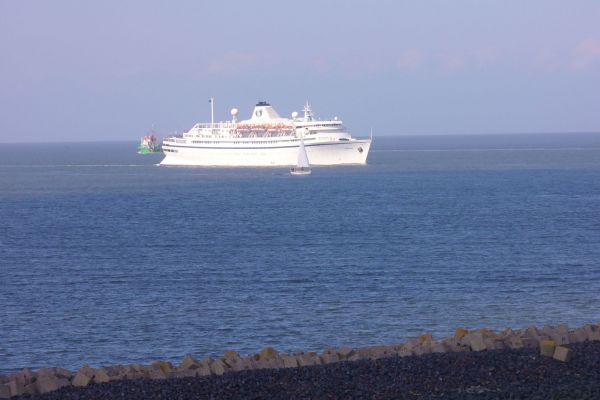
column 266, row 139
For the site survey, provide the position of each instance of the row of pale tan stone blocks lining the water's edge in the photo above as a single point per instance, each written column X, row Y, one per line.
column 554, row 342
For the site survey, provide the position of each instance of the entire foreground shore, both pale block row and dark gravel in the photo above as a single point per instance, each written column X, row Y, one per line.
column 551, row 362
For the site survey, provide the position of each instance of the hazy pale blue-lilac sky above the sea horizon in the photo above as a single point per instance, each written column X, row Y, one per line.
column 110, row 70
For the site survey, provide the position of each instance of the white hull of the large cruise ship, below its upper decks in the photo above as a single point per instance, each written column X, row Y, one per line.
column 324, row 153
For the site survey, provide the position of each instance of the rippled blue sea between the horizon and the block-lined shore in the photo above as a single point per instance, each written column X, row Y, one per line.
column 106, row 258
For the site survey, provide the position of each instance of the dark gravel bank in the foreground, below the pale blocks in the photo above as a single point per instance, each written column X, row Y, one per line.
column 500, row 374
